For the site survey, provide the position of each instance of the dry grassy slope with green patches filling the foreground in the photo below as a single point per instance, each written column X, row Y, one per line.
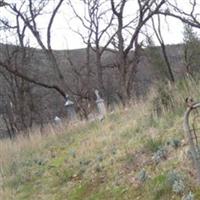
column 102, row 160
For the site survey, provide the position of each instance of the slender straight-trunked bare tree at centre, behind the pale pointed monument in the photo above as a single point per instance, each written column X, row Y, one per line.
column 97, row 22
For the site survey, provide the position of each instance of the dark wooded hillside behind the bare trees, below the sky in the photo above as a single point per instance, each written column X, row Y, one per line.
column 33, row 104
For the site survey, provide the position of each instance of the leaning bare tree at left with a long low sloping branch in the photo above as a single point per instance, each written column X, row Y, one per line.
column 26, row 13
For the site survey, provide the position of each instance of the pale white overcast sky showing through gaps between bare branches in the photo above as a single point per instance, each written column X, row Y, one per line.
column 64, row 38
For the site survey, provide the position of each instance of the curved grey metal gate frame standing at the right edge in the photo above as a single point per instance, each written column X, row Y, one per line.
column 190, row 133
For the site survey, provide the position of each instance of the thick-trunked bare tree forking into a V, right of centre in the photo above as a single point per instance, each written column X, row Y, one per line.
column 127, row 67
